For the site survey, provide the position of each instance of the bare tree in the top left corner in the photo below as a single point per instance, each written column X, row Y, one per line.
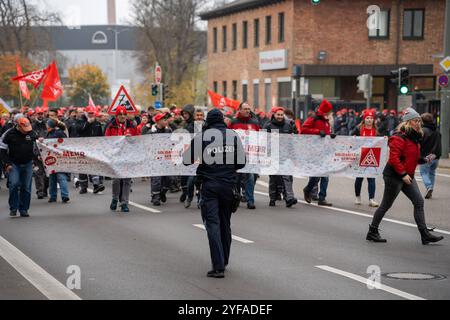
column 19, row 22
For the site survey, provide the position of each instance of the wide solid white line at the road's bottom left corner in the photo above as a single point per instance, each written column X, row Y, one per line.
column 38, row 277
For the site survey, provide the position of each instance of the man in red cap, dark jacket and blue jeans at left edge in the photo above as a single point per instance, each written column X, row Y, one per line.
column 17, row 152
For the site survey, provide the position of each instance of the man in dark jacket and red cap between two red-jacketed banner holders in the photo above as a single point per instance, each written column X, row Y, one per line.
column 280, row 124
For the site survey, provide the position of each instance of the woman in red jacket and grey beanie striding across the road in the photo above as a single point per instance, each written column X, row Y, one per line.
column 404, row 156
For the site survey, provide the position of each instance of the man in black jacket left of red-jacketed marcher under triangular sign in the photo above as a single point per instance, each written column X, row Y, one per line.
column 88, row 126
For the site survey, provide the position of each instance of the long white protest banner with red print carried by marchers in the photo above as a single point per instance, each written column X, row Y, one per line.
column 267, row 154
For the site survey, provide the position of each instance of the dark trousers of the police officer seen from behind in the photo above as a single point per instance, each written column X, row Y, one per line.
column 216, row 206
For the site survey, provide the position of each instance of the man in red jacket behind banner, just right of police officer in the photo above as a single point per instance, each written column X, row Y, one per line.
column 246, row 120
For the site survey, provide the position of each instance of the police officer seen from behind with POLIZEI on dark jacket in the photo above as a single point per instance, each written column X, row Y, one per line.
column 221, row 154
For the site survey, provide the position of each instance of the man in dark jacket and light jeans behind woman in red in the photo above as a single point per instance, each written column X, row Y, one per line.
column 431, row 144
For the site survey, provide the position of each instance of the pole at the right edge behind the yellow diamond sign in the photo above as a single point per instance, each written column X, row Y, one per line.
column 445, row 92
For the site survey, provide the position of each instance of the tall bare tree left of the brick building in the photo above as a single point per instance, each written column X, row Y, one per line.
column 169, row 36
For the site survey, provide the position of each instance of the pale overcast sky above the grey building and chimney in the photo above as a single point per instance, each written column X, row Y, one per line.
column 88, row 12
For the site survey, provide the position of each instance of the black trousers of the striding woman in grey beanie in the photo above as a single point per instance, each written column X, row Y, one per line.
column 392, row 188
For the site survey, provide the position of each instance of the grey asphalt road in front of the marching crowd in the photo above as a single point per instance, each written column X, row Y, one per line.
column 305, row 252
